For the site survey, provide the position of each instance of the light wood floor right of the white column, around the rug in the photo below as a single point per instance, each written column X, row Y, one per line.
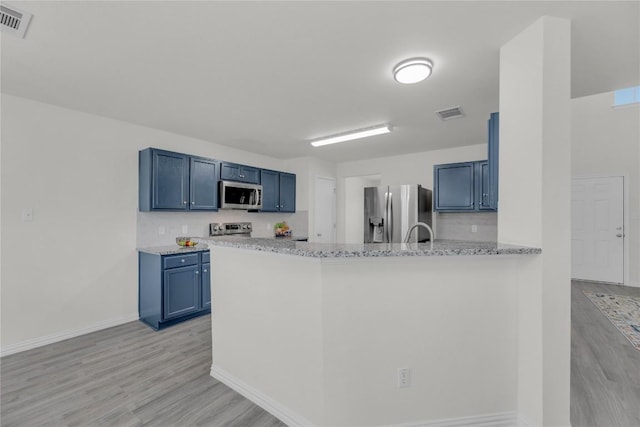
column 605, row 368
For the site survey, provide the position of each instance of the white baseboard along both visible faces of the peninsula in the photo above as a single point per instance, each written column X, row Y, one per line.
column 292, row 419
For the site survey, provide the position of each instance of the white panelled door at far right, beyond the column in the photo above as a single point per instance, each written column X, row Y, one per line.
column 597, row 229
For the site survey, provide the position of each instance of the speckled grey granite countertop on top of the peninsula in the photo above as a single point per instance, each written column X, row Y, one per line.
column 326, row 250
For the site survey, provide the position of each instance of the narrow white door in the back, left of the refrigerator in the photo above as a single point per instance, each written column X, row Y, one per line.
column 324, row 211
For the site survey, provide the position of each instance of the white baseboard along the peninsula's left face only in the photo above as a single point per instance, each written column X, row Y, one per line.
column 275, row 408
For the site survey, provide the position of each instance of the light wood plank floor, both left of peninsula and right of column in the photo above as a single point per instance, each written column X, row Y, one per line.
column 130, row 375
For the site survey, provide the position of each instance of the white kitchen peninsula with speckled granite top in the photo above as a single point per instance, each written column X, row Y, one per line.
column 317, row 333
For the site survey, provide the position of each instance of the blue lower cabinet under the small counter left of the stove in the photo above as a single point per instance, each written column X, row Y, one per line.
column 173, row 288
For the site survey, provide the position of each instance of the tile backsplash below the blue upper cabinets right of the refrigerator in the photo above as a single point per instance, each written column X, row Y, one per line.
column 458, row 226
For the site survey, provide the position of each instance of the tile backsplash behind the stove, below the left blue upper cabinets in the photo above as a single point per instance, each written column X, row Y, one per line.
column 151, row 224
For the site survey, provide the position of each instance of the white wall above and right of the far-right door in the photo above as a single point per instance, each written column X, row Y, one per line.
column 606, row 141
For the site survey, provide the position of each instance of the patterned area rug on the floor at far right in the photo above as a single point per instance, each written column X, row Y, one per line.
column 622, row 311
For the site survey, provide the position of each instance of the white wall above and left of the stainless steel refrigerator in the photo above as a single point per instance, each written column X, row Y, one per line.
column 415, row 168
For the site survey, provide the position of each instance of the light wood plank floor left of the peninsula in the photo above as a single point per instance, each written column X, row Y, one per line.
column 128, row 375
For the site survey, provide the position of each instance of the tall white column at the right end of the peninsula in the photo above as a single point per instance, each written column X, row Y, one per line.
column 535, row 210
